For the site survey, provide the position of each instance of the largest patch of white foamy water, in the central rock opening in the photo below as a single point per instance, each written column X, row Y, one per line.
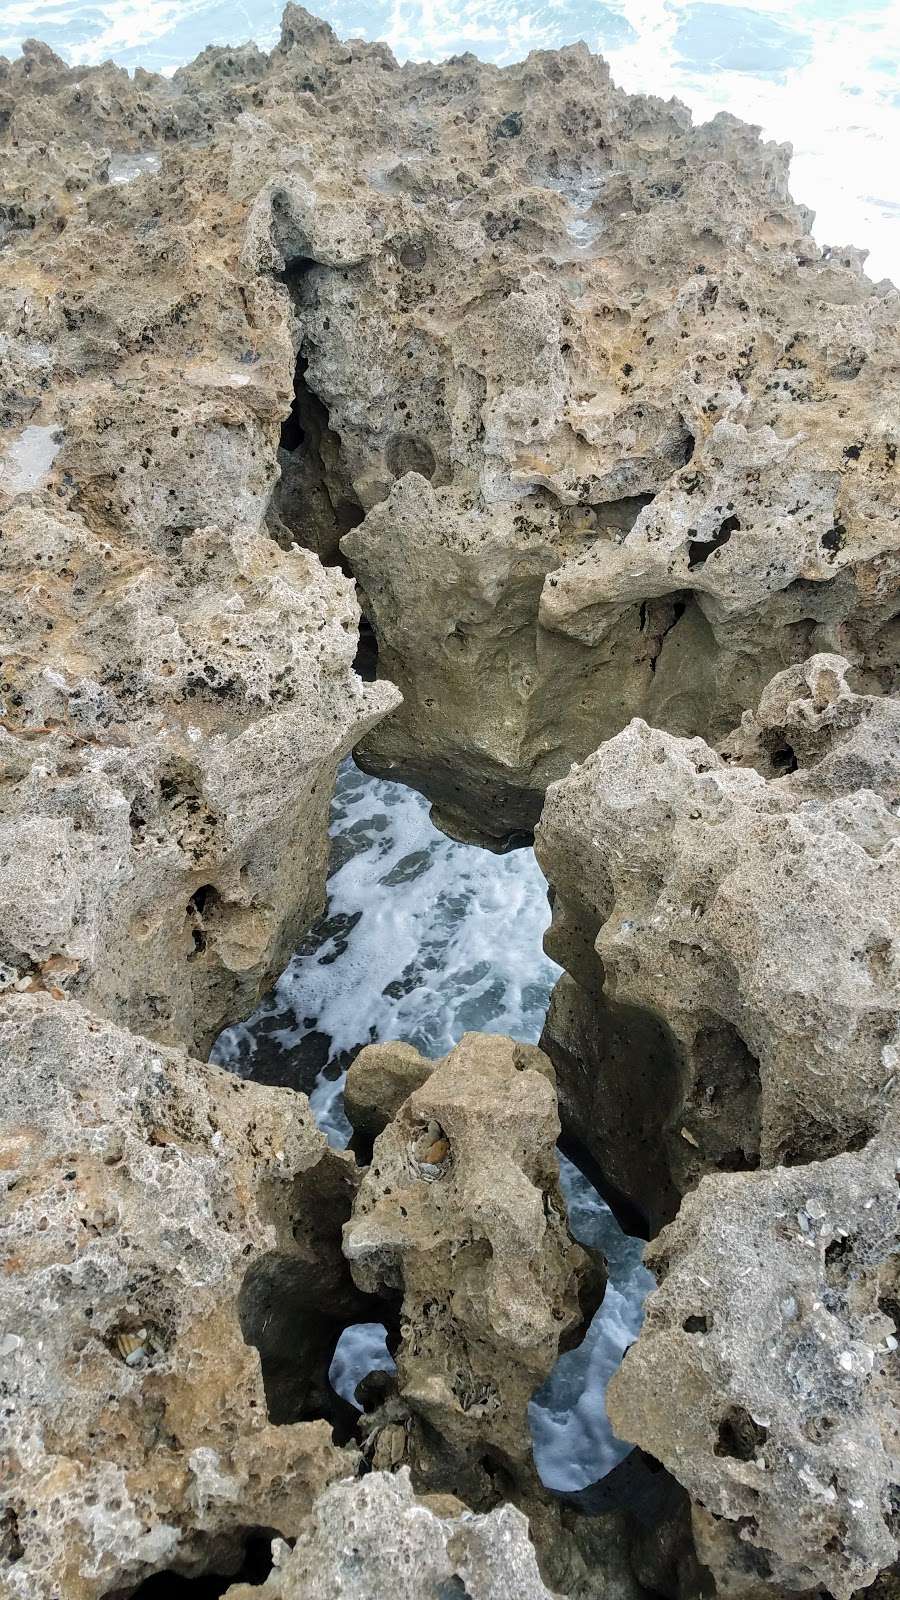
column 430, row 940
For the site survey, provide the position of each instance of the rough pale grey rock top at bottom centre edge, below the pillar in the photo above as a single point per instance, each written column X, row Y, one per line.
column 376, row 1538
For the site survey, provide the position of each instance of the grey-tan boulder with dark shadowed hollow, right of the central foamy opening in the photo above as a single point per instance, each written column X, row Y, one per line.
column 731, row 938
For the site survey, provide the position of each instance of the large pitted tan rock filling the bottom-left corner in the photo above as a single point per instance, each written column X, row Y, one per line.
column 150, row 1201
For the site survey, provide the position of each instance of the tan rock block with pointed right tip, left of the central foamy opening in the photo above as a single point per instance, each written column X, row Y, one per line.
column 164, row 818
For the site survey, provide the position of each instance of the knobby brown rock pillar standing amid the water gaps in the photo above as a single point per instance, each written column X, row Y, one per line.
column 460, row 1222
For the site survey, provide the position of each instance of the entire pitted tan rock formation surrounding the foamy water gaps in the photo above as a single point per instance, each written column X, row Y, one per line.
column 609, row 446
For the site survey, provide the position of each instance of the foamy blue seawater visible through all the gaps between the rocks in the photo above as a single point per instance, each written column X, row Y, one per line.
column 425, row 940
